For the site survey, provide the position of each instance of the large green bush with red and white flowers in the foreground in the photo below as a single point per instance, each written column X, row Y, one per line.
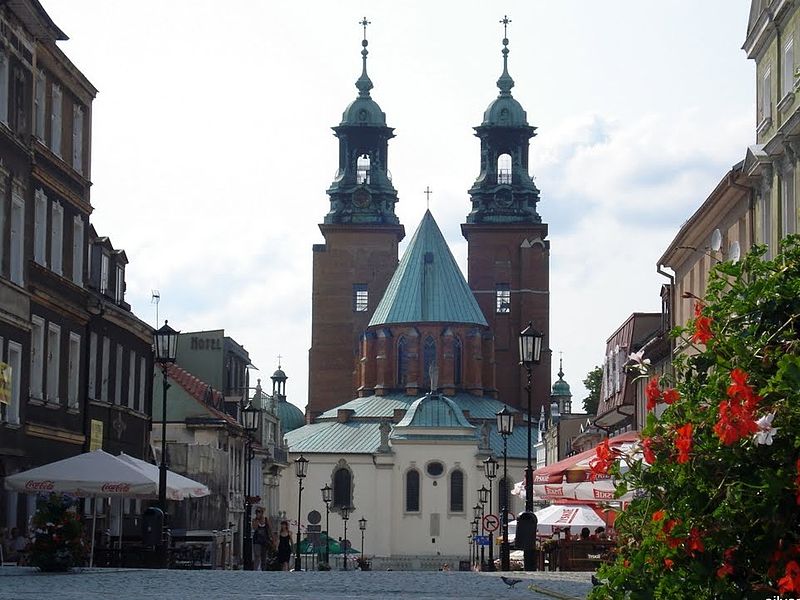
column 717, row 512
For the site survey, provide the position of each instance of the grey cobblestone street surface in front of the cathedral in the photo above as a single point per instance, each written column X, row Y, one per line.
column 130, row 584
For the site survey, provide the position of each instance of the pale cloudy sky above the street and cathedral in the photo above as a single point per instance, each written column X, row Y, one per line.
column 212, row 148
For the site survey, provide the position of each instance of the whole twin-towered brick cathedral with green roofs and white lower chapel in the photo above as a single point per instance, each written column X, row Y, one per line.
column 410, row 361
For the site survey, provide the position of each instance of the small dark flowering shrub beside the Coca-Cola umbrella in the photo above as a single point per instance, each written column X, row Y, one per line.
column 57, row 535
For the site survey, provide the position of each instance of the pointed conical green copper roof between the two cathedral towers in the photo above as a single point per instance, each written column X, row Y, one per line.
column 428, row 286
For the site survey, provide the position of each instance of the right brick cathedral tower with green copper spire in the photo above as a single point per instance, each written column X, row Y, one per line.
column 508, row 253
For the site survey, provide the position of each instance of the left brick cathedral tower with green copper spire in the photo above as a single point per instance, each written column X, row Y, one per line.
column 353, row 267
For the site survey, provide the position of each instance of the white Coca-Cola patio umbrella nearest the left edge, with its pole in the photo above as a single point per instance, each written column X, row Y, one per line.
column 87, row 475
